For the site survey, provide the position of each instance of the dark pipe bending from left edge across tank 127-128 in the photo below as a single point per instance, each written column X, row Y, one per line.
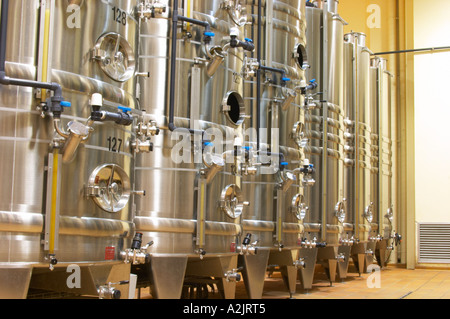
column 57, row 98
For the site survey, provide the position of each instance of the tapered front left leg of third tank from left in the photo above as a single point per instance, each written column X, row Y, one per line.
column 254, row 272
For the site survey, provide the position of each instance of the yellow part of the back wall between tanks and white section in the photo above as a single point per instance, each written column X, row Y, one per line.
column 389, row 26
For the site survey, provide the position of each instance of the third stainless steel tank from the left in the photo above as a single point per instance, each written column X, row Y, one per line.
column 273, row 94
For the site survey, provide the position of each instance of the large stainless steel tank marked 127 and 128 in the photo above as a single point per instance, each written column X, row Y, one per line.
column 69, row 199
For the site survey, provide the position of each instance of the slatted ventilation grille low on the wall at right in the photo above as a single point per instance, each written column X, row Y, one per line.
column 434, row 243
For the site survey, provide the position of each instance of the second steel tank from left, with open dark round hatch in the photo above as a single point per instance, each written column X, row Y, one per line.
column 192, row 209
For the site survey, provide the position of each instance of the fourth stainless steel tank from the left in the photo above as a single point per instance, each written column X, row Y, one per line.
column 325, row 129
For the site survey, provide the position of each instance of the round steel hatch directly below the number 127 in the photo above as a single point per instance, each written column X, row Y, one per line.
column 110, row 187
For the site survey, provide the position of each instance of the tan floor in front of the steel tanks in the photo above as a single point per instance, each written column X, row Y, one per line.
column 393, row 282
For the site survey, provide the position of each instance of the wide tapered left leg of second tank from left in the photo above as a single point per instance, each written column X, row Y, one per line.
column 167, row 276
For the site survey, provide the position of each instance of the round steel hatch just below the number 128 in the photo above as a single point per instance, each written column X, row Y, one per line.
column 115, row 56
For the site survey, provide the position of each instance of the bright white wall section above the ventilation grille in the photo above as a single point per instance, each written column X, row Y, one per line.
column 432, row 111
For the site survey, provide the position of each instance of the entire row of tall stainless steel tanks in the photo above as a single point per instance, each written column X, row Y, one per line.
column 182, row 141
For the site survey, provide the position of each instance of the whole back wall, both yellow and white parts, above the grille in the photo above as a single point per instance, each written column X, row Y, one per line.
column 422, row 107
